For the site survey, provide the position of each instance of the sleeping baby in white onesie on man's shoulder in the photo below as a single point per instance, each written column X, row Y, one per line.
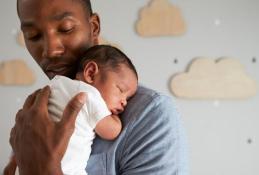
column 109, row 79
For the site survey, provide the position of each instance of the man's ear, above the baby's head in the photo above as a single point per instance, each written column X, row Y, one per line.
column 95, row 27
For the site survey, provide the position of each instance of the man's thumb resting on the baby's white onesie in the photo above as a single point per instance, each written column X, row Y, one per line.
column 71, row 111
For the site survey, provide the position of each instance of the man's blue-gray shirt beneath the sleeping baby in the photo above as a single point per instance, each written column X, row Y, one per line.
column 152, row 140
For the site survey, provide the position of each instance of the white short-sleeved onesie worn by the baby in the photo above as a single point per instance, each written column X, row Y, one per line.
column 78, row 151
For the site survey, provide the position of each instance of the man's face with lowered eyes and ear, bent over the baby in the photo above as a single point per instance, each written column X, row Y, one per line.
column 56, row 32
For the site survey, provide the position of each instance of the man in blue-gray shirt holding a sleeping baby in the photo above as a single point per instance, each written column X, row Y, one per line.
column 56, row 33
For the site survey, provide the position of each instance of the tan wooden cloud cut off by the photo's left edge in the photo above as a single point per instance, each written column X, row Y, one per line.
column 15, row 72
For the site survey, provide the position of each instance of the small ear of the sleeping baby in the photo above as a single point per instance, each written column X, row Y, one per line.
column 90, row 71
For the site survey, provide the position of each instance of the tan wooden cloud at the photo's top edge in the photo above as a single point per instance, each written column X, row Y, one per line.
column 160, row 18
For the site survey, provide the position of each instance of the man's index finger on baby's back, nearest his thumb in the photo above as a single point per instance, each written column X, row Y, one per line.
column 42, row 98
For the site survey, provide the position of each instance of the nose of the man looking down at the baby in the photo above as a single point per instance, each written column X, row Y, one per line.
column 53, row 47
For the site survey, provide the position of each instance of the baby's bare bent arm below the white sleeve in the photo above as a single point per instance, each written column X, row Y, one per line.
column 109, row 127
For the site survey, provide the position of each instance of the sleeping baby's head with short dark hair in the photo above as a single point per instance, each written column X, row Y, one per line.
column 110, row 71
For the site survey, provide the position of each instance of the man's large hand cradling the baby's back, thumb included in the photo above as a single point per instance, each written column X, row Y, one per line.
column 39, row 143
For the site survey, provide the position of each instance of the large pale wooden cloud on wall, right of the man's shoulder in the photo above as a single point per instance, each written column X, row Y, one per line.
column 209, row 79
